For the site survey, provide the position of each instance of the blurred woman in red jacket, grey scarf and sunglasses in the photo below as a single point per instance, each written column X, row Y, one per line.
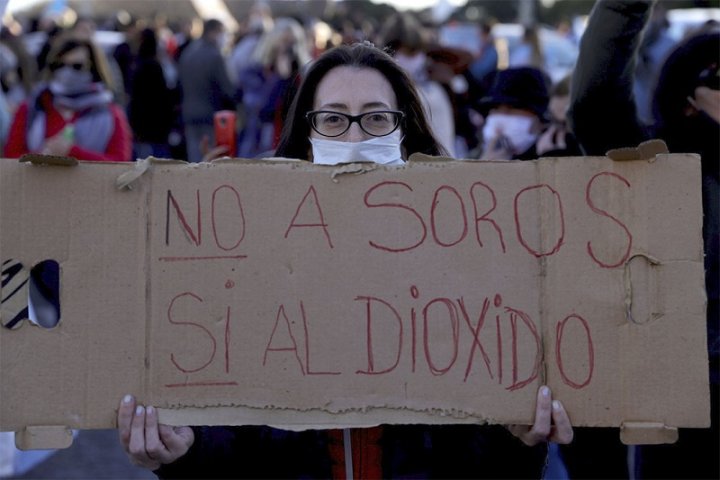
column 72, row 112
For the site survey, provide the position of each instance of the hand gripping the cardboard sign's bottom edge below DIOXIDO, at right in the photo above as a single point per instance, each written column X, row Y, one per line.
column 552, row 423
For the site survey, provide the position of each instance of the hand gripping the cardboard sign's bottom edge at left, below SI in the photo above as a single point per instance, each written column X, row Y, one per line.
column 147, row 443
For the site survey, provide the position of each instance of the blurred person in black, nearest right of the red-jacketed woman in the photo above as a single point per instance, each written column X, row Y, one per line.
column 151, row 107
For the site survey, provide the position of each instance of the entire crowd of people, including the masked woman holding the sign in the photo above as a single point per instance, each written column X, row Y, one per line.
column 306, row 90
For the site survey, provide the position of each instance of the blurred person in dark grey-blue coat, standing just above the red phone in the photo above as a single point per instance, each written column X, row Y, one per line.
column 206, row 87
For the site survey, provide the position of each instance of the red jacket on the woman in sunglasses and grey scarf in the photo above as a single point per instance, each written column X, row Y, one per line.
column 119, row 148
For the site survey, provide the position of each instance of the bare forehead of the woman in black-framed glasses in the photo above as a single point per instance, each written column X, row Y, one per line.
column 354, row 89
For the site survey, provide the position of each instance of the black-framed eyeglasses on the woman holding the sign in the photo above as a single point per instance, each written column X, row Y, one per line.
column 333, row 124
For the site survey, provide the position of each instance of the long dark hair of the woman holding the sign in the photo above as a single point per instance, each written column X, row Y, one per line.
column 418, row 137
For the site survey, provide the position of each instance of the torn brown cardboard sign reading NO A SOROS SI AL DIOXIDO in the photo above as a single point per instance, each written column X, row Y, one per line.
column 283, row 293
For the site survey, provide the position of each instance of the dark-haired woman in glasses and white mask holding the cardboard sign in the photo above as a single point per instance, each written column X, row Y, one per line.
column 355, row 103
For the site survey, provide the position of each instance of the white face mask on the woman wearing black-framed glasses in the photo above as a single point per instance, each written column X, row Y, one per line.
column 382, row 150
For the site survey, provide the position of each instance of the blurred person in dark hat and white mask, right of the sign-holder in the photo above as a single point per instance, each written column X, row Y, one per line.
column 515, row 110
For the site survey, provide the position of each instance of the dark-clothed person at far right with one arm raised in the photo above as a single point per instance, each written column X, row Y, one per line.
column 686, row 111
